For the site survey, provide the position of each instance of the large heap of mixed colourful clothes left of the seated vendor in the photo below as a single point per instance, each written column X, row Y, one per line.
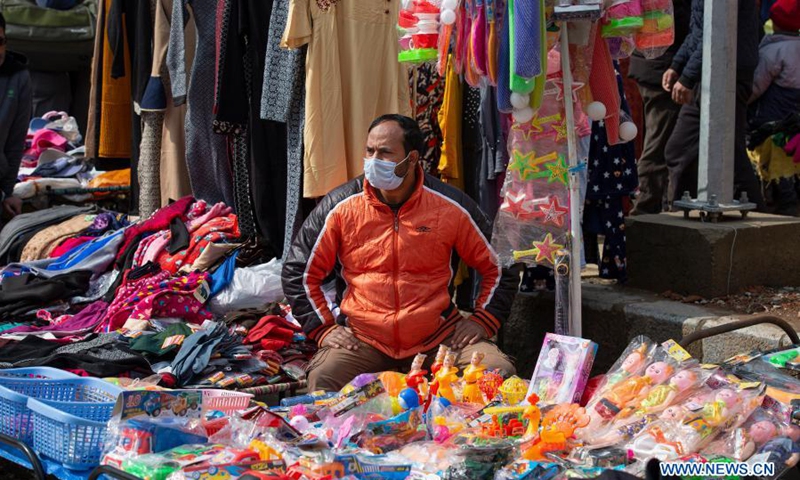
column 181, row 294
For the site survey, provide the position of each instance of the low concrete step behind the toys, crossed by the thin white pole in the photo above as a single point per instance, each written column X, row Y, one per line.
column 613, row 315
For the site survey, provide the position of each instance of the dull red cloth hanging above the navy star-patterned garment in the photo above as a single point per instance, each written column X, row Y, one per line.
column 603, row 83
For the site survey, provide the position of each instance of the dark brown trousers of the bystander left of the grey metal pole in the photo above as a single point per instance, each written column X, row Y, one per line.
column 660, row 117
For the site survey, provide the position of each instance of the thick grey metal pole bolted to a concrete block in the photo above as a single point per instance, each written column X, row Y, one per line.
column 718, row 101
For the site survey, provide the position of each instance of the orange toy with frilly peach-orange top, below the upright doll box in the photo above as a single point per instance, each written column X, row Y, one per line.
column 558, row 427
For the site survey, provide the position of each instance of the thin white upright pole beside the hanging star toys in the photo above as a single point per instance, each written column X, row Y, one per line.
column 576, row 240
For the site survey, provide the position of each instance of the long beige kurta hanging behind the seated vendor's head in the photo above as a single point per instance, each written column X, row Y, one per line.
column 352, row 77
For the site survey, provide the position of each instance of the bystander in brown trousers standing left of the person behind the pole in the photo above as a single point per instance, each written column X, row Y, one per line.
column 660, row 116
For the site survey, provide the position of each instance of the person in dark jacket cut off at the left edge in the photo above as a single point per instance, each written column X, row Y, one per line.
column 15, row 114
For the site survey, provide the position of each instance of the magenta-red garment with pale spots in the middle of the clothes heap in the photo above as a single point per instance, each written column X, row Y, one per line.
column 159, row 296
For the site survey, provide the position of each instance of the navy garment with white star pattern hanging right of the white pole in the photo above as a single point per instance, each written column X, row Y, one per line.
column 612, row 180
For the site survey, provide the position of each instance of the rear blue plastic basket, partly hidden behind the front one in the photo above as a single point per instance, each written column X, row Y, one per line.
column 16, row 386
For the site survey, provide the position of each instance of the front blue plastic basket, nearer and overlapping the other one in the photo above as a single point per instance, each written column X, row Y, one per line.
column 72, row 430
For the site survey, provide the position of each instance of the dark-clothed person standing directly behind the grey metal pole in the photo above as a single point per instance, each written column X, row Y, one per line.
column 682, row 80
